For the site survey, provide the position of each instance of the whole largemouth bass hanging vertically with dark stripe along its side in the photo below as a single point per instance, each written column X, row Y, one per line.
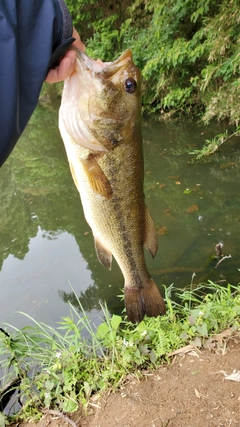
column 100, row 124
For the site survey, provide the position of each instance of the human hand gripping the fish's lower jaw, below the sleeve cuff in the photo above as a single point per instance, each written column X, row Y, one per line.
column 67, row 63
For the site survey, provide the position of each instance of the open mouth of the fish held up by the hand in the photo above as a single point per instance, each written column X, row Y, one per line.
column 107, row 69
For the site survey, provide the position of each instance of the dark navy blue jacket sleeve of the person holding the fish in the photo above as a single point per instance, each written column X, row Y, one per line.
column 33, row 36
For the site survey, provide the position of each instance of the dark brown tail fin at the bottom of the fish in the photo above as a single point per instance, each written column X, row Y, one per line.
column 145, row 300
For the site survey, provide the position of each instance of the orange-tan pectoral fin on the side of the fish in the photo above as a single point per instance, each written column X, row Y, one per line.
column 98, row 180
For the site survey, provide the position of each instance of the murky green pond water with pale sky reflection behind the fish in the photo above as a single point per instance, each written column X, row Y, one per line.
column 46, row 246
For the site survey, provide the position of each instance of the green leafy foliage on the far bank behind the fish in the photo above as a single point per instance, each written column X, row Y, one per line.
column 188, row 50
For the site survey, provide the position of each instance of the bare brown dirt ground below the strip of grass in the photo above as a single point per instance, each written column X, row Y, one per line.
column 193, row 391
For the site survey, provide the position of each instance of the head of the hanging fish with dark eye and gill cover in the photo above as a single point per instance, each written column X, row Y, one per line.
column 102, row 101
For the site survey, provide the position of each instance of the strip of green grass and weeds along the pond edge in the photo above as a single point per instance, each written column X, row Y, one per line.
column 60, row 369
